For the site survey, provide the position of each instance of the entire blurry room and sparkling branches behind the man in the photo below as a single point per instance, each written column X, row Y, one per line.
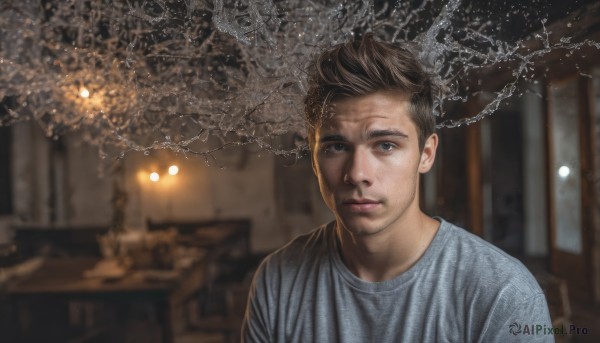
column 151, row 153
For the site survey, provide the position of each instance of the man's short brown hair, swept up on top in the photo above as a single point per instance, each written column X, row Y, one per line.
column 364, row 67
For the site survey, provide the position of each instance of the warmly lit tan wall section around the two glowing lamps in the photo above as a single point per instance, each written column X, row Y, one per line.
column 233, row 189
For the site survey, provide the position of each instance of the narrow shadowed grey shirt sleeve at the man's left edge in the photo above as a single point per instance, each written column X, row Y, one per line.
column 255, row 326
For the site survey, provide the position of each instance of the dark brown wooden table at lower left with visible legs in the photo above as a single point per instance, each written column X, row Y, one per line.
column 62, row 280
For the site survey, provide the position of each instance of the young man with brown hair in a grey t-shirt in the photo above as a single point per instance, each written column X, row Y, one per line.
column 384, row 271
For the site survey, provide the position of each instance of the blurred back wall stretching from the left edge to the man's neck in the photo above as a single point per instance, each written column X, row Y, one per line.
column 79, row 190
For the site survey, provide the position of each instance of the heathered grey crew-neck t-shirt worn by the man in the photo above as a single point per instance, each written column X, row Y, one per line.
column 462, row 289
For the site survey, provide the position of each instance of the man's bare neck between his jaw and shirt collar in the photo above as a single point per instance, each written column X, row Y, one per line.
column 389, row 253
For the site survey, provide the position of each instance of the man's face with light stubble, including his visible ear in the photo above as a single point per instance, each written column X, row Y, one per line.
column 367, row 160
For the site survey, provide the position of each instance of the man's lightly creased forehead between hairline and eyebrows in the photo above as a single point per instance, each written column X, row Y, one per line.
column 381, row 108
